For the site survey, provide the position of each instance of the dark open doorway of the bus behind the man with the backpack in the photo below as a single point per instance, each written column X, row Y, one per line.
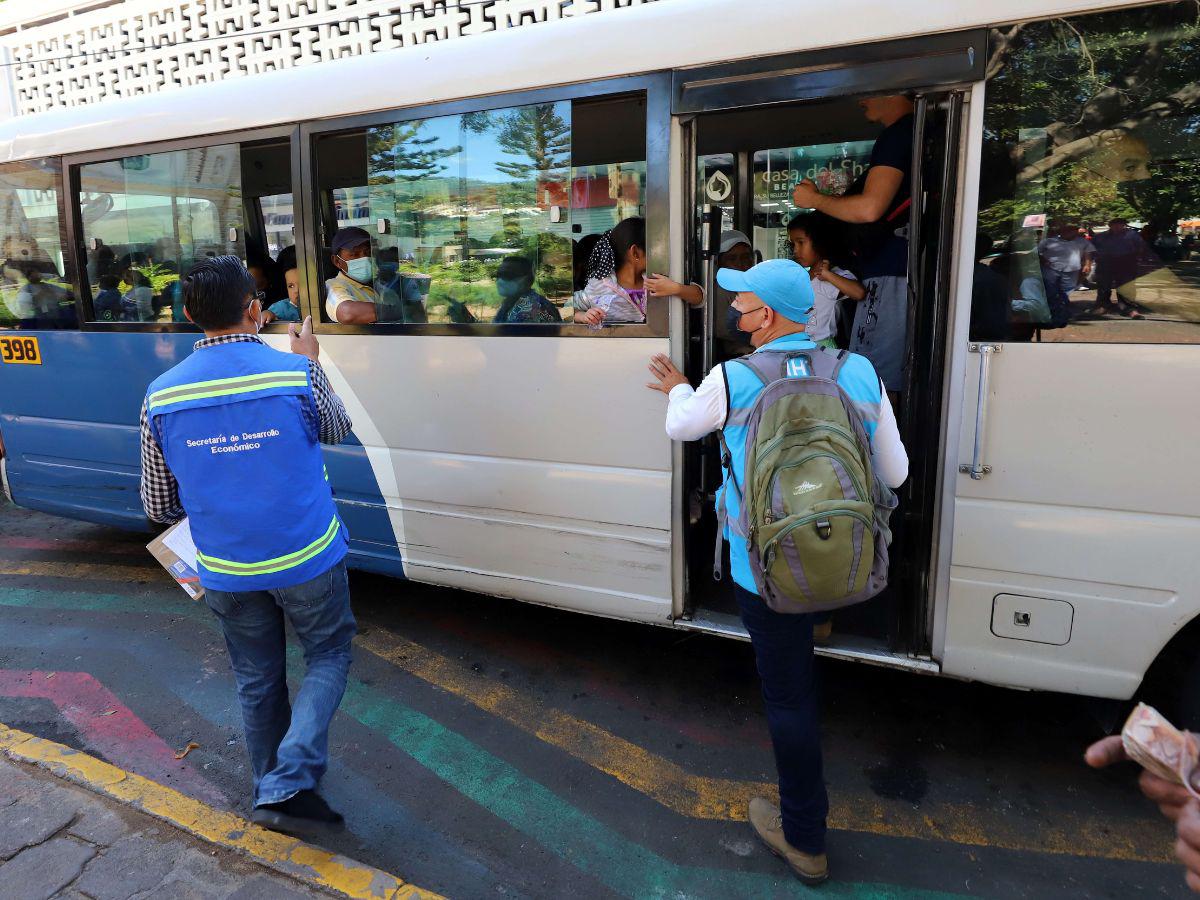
column 746, row 167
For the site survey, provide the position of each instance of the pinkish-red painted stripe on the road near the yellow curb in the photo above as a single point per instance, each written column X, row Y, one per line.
column 111, row 729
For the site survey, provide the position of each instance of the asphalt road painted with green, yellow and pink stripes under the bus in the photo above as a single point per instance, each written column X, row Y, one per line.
column 493, row 749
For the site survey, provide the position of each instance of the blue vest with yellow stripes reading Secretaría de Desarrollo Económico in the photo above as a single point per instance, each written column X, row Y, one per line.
column 239, row 428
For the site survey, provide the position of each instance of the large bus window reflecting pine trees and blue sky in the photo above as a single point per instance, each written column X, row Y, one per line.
column 476, row 219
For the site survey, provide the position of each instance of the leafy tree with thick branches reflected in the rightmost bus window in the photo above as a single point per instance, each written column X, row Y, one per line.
column 1091, row 118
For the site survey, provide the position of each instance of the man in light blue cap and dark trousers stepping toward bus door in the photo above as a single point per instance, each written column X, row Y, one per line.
column 772, row 305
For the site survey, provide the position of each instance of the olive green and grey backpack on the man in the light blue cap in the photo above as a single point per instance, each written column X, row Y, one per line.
column 813, row 514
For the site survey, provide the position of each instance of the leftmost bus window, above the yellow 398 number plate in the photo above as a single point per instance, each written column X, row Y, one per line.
column 35, row 285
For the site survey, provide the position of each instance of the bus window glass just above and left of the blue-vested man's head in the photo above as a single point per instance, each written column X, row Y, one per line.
column 148, row 219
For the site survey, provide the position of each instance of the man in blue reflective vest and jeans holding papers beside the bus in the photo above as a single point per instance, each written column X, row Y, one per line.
column 231, row 439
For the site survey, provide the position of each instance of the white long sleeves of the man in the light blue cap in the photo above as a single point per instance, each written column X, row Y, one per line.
column 694, row 413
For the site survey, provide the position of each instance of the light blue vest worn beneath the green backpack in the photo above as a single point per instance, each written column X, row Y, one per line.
column 857, row 379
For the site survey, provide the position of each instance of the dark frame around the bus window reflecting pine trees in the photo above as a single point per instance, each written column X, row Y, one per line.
column 657, row 91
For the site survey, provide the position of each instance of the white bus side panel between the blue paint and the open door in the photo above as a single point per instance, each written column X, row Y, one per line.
column 527, row 467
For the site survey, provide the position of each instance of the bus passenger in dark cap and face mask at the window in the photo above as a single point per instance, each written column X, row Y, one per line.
column 356, row 297
